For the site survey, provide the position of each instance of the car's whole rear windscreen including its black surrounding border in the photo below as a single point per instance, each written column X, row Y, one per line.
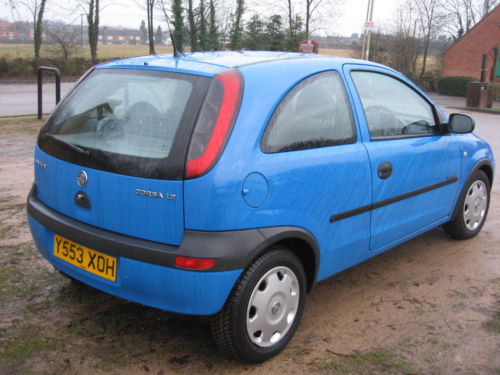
column 138, row 118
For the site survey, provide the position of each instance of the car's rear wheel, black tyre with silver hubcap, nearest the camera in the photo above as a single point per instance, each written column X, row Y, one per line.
column 264, row 309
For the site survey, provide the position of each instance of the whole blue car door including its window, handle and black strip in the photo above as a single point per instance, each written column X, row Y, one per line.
column 415, row 162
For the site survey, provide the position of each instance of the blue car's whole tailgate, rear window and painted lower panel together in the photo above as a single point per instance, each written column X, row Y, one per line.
column 126, row 131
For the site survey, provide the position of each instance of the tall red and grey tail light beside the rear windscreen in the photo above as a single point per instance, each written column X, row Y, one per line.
column 214, row 123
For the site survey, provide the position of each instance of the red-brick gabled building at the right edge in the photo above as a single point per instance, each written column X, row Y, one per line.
column 464, row 57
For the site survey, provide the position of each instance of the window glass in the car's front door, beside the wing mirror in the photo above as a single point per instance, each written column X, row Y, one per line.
column 392, row 108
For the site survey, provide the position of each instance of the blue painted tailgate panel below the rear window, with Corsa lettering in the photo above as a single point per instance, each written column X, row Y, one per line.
column 117, row 203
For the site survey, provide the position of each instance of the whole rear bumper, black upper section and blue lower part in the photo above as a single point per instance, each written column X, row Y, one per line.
column 146, row 270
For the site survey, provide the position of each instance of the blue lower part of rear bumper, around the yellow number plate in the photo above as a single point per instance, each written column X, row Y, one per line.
column 170, row 289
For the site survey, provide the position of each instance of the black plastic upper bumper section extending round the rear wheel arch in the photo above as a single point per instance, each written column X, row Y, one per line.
column 232, row 249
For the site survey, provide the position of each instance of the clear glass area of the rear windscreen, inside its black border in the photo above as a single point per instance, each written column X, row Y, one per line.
column 123, row 113
